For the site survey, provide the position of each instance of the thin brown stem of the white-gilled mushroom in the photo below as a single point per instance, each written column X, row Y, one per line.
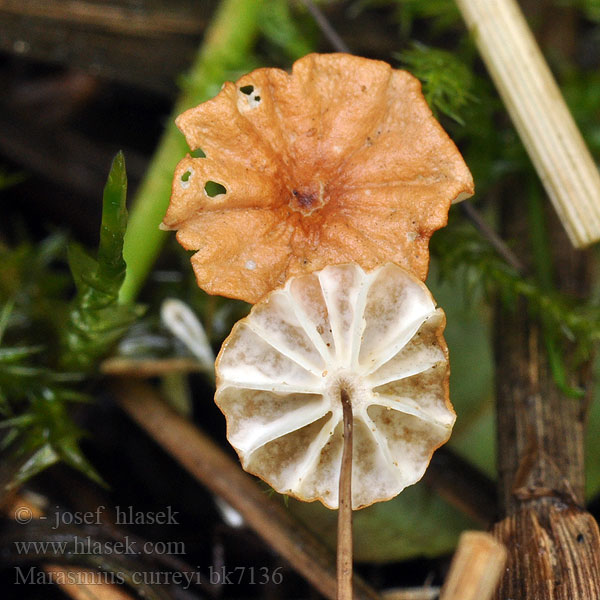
column 344, row 544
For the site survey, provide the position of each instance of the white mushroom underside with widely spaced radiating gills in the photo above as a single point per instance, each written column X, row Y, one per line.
column 281, row 370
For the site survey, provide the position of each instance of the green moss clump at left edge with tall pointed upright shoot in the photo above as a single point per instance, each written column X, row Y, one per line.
column 37, row 389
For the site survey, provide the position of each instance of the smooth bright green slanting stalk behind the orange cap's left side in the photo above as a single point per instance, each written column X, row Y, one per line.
column 226, row 46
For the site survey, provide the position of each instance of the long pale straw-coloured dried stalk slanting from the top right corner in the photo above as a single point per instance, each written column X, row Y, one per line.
column 539, row 113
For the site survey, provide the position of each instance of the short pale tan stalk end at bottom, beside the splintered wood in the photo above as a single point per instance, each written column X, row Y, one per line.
column 475, row 569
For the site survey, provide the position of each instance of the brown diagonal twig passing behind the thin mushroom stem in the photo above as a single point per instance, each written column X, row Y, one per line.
column 211, row 466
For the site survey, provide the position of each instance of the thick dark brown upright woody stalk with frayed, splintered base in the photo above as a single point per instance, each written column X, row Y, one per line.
column 553, row 543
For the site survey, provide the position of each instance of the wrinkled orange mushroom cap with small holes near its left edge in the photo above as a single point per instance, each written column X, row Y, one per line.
column 341, row 161
